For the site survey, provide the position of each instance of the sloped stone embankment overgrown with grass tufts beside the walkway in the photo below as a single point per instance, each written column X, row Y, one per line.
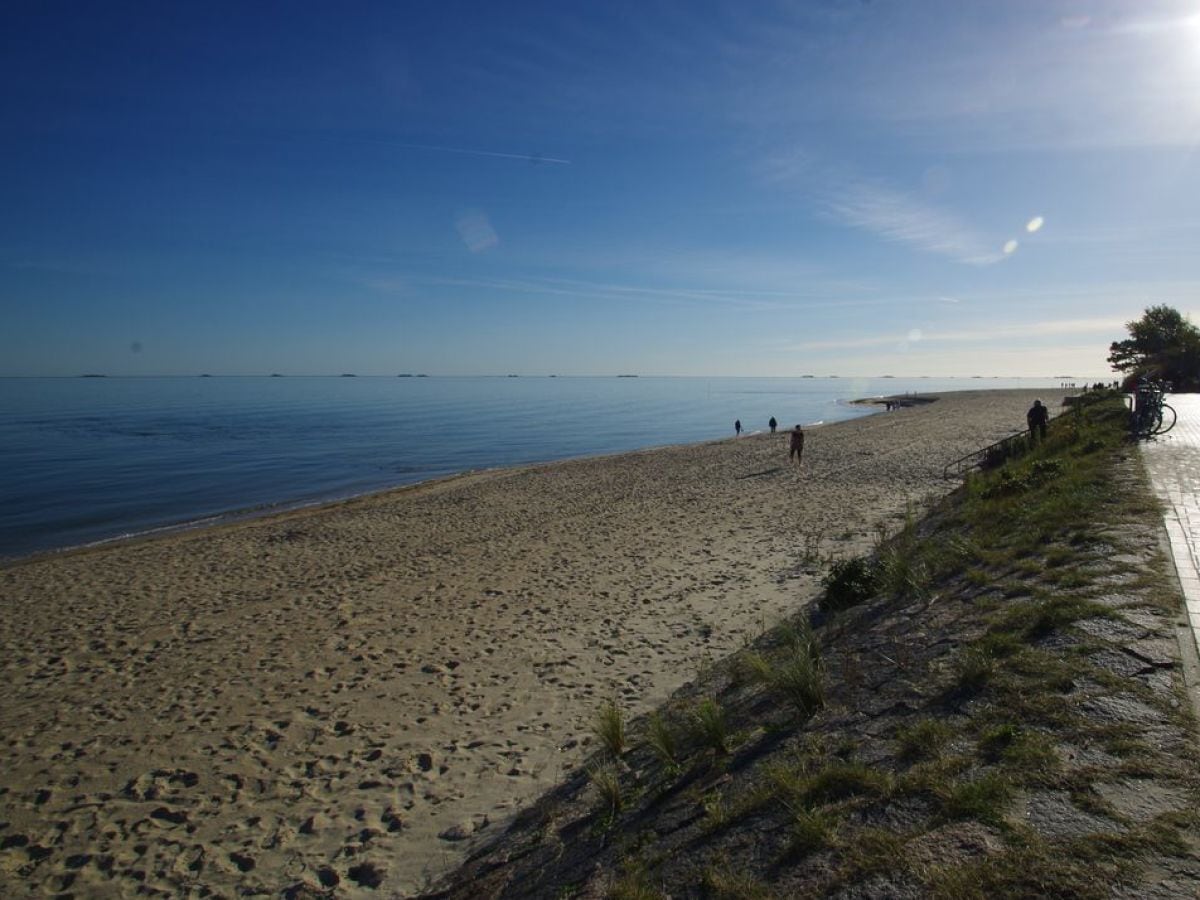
column 992, row 706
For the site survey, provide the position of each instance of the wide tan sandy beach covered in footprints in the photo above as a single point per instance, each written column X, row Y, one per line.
column 353, row 695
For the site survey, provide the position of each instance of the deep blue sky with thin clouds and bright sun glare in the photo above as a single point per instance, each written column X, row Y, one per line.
column 887, row 188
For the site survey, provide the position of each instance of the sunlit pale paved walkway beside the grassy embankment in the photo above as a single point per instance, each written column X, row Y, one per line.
column 1173, row 461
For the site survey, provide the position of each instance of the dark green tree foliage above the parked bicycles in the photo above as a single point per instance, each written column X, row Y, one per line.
column 1162, row 345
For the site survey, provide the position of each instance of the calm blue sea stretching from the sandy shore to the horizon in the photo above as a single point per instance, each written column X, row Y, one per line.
column 92, row 459
